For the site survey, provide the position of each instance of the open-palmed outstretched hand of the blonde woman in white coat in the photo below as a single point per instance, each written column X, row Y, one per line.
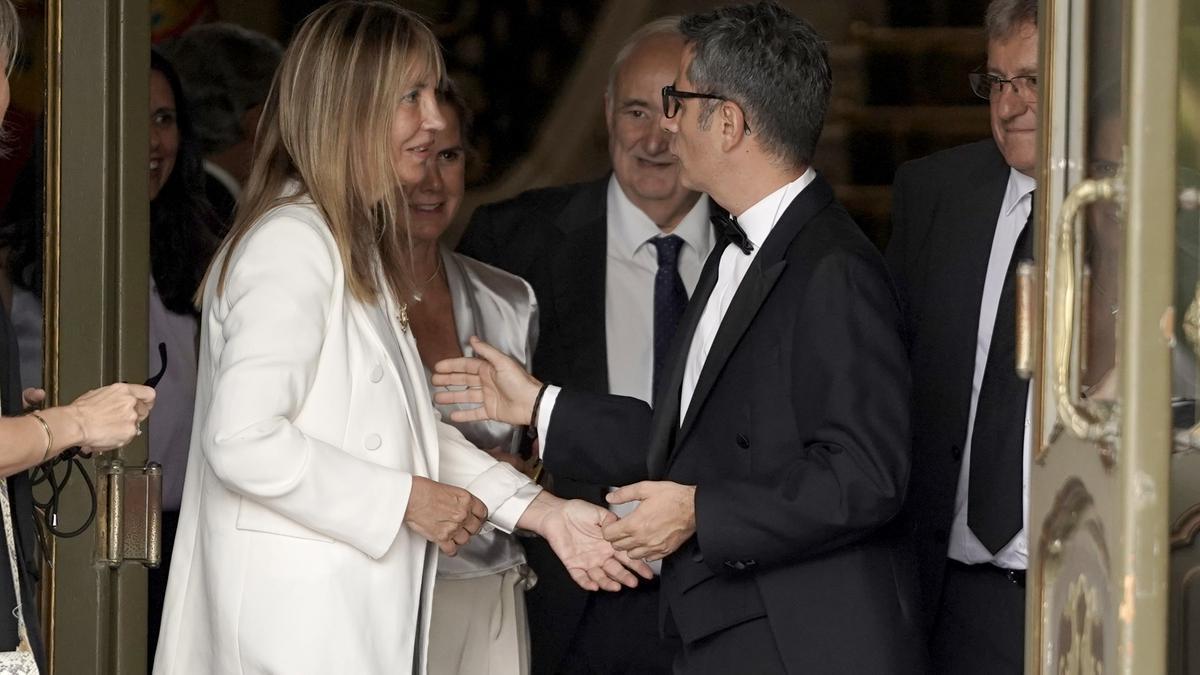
column 574, row 530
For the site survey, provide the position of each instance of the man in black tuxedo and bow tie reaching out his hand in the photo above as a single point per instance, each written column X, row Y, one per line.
column 778, row 447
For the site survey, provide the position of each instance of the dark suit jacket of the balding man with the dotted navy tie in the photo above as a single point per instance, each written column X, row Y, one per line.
column 557, row 241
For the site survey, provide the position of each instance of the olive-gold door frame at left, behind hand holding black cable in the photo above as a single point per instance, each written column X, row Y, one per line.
column 97, row 291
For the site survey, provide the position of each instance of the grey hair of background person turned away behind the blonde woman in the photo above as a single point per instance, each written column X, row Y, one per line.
column 226, row 70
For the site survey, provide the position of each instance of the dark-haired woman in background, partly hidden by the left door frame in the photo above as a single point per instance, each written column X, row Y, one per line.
column 183, row 241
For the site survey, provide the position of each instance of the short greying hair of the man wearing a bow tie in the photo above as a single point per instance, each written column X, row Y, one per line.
column 771, row 63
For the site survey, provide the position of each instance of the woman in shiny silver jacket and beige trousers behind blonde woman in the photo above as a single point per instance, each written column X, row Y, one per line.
column 479, row 613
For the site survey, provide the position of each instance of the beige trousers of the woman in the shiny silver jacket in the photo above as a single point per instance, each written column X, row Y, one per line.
column 479, row 626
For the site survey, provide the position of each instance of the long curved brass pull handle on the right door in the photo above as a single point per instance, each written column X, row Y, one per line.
column 1087, row 420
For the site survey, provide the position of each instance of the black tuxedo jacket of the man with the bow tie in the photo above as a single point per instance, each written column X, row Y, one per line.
column 797, row 440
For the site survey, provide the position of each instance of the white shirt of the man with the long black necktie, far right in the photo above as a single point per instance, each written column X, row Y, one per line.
column 965, row 547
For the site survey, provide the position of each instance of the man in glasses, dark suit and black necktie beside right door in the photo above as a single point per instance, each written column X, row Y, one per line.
column 959, row 225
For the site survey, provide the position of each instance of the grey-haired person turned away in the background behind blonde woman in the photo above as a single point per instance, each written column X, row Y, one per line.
column 227, row 73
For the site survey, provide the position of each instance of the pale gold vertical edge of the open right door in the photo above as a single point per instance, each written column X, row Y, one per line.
column 1151, row 201
